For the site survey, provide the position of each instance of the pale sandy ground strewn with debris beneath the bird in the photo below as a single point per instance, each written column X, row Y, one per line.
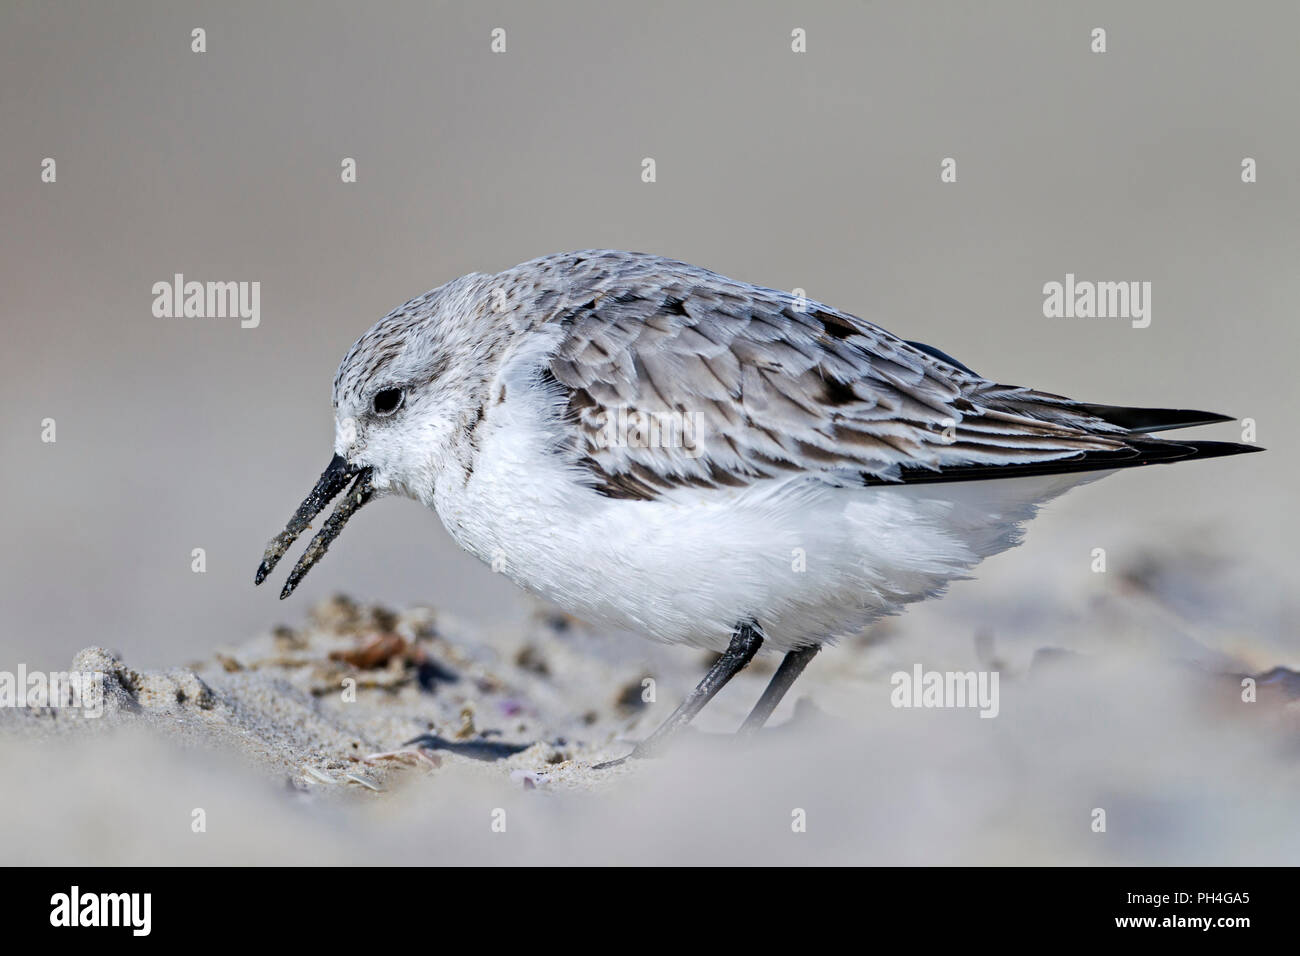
column 294, row 747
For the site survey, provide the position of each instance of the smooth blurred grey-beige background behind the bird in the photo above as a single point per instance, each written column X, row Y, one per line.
column 818, row 171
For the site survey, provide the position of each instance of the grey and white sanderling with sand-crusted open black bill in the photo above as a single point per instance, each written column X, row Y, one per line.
column 664, row 449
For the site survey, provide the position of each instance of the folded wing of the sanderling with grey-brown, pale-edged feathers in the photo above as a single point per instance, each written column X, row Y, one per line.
column 765, row 383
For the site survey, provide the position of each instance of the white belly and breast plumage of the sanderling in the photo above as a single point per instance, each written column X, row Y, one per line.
column 808, row 561
